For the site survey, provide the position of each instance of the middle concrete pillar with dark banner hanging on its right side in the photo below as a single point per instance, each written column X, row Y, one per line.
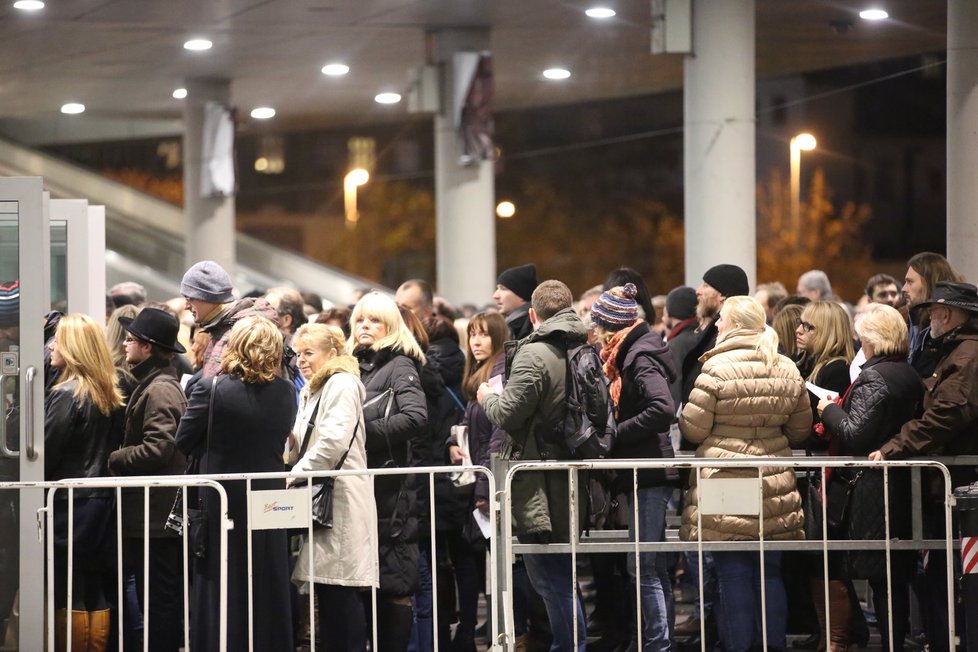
column 464, row 194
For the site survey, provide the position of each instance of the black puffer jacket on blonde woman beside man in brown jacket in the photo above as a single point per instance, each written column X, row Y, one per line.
column 886, row 395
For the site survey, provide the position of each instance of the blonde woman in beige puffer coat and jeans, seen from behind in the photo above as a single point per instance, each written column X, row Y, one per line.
column 748, row 401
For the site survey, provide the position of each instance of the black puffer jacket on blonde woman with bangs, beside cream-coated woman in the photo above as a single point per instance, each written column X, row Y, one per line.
column 390, row 441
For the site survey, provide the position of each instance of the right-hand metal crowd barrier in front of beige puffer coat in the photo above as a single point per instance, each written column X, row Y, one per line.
column 580, row 543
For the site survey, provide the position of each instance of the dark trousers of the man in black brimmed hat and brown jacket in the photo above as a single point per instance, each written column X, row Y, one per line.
column 163, row 620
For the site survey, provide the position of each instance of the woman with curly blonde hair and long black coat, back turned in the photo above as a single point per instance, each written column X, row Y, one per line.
column 250, row 415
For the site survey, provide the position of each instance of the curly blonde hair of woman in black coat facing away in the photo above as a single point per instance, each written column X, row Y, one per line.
column 254, row 350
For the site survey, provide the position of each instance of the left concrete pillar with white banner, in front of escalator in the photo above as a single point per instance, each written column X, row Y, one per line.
column 209, row 220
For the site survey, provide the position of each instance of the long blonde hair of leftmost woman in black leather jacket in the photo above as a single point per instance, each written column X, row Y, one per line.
column 85, row 351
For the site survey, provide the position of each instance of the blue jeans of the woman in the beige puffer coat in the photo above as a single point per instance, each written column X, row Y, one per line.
column 739, row 617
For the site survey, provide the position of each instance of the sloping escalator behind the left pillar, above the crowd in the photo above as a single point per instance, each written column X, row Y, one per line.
column 144, row 236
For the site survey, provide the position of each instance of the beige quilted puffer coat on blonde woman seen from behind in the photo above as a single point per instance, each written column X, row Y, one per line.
column 740, row 408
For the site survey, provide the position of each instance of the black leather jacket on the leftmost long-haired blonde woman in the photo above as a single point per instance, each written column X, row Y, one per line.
column 78, row 438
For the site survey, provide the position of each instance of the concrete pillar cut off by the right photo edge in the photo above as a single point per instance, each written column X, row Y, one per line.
column 962, row 137
